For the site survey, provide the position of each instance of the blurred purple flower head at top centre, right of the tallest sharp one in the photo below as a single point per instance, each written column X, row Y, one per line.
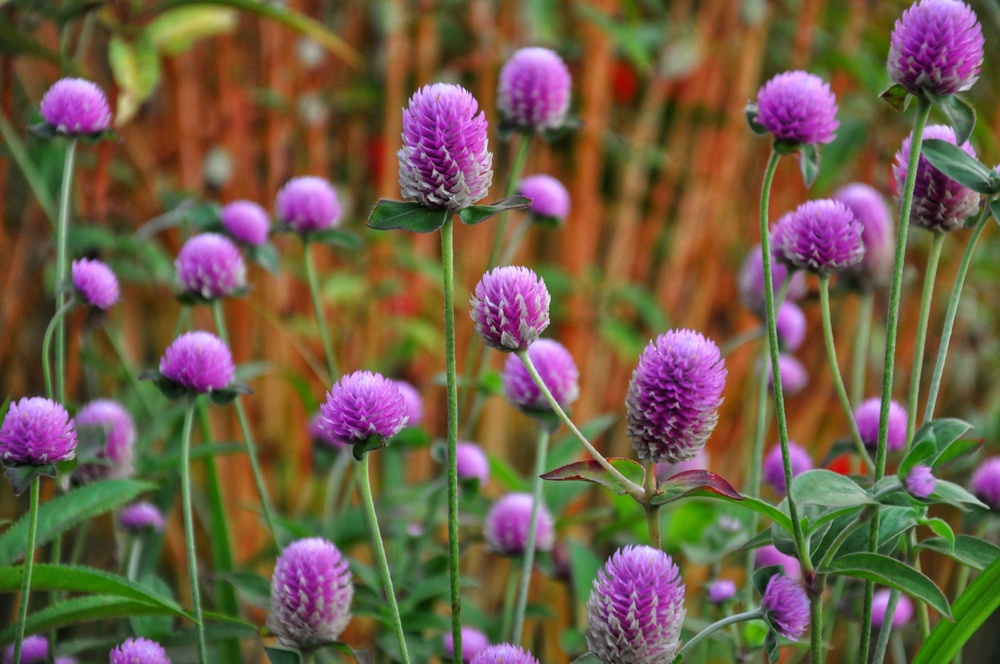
column 533, row 92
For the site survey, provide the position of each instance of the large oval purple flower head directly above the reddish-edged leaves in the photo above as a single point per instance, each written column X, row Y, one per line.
column 674, row 396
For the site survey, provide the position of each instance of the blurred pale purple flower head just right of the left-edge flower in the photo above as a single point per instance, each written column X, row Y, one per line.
column 116, row 424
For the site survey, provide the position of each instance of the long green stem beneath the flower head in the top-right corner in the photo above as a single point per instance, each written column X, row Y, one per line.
column 892, row 324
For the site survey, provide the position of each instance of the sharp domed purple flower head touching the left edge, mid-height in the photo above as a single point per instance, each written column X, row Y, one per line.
column 36, row 432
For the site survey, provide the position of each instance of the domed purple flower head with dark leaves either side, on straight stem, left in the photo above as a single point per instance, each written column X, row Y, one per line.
column 199, row 361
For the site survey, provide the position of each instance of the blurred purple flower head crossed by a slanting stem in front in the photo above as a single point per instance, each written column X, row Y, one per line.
column 557, row 370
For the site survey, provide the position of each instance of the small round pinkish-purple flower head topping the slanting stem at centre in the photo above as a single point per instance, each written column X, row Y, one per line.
column 510, row 308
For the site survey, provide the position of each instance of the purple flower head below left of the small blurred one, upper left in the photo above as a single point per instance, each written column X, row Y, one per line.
column 210, row 265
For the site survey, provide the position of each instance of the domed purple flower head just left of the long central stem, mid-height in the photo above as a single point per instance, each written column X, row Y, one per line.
column 362, row 405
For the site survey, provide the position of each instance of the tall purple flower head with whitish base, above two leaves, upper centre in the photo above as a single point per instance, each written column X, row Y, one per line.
column 445, row 162
